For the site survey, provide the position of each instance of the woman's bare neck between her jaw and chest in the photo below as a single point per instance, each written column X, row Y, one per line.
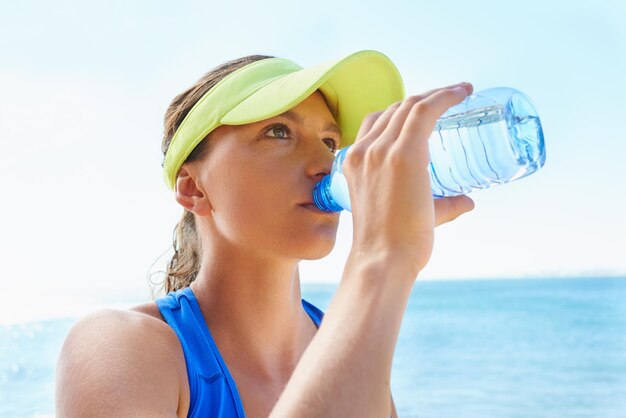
column 253, row 308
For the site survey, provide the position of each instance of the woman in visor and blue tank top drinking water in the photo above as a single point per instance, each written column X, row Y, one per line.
column 244, row 149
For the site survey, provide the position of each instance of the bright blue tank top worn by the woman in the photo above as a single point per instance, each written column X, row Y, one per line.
column 212, row 389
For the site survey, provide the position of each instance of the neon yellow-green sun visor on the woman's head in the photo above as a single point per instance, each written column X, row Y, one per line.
column 362, row 83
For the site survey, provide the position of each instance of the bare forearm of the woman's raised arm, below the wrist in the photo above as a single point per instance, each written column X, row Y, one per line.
column 346, row 368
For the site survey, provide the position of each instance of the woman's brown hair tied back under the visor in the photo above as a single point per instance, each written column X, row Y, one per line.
column 183, row 268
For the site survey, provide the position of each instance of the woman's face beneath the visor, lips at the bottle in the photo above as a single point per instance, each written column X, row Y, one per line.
column 259, row 179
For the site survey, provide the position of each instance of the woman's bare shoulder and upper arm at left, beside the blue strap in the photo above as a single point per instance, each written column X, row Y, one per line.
column 118, row 364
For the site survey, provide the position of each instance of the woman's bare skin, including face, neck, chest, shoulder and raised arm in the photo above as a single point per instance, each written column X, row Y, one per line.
column 254, row 232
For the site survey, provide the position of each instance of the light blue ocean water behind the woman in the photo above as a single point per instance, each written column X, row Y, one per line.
column 467, row 348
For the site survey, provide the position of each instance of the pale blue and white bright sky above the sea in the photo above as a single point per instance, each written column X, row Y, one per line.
column 84, row 86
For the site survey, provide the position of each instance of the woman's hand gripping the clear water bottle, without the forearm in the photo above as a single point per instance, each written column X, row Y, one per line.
column 387, row 172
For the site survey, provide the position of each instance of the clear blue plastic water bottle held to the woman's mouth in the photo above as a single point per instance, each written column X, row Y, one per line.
column 492, row 137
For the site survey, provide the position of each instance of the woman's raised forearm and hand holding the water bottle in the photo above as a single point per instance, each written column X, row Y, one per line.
column 346, row 369
